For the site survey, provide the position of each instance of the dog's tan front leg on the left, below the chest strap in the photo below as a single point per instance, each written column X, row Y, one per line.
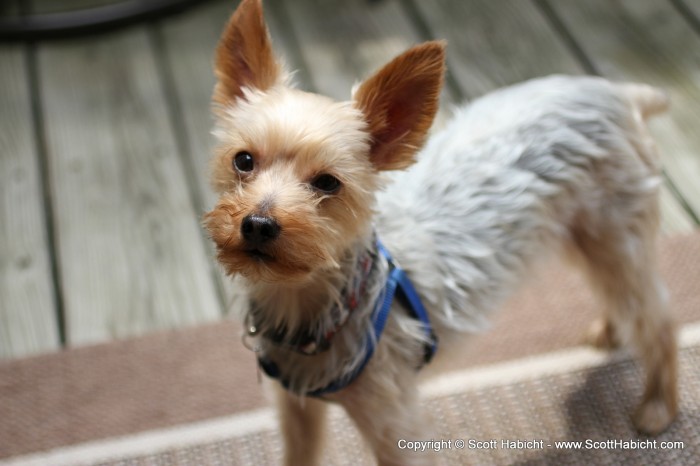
column 302, row 421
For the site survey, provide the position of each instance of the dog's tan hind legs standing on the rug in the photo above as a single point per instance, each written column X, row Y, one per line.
column 619, row 256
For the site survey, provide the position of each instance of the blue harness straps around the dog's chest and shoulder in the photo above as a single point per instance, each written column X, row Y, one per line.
column 398, row 285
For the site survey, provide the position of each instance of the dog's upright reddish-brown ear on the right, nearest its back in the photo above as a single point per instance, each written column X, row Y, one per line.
column 399, row 103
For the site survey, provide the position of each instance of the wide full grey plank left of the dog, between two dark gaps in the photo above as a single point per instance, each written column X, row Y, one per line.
column 131, row 255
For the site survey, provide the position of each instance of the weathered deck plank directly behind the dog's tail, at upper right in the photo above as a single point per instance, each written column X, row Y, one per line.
column 649, row 41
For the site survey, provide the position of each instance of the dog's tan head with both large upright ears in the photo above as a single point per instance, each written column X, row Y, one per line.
column 296, row 172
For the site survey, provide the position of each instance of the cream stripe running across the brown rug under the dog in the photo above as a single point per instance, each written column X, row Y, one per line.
column 219, row 429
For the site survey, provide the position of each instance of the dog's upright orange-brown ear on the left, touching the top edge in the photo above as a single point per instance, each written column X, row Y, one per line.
column 244, row 57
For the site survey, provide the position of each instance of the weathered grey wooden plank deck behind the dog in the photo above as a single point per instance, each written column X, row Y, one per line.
column 104, row 140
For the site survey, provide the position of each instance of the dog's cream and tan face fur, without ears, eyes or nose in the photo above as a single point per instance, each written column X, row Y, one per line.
column 294, row 139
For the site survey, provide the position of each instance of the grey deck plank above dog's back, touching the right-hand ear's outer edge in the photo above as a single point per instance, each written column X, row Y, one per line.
column 495, row 43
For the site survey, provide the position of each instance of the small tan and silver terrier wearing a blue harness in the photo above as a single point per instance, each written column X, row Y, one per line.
column 304, row 200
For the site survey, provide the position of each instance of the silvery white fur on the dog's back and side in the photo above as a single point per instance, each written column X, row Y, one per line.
column 507, row 179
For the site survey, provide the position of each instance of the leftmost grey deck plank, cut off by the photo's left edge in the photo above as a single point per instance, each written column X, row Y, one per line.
column 28, row 320
